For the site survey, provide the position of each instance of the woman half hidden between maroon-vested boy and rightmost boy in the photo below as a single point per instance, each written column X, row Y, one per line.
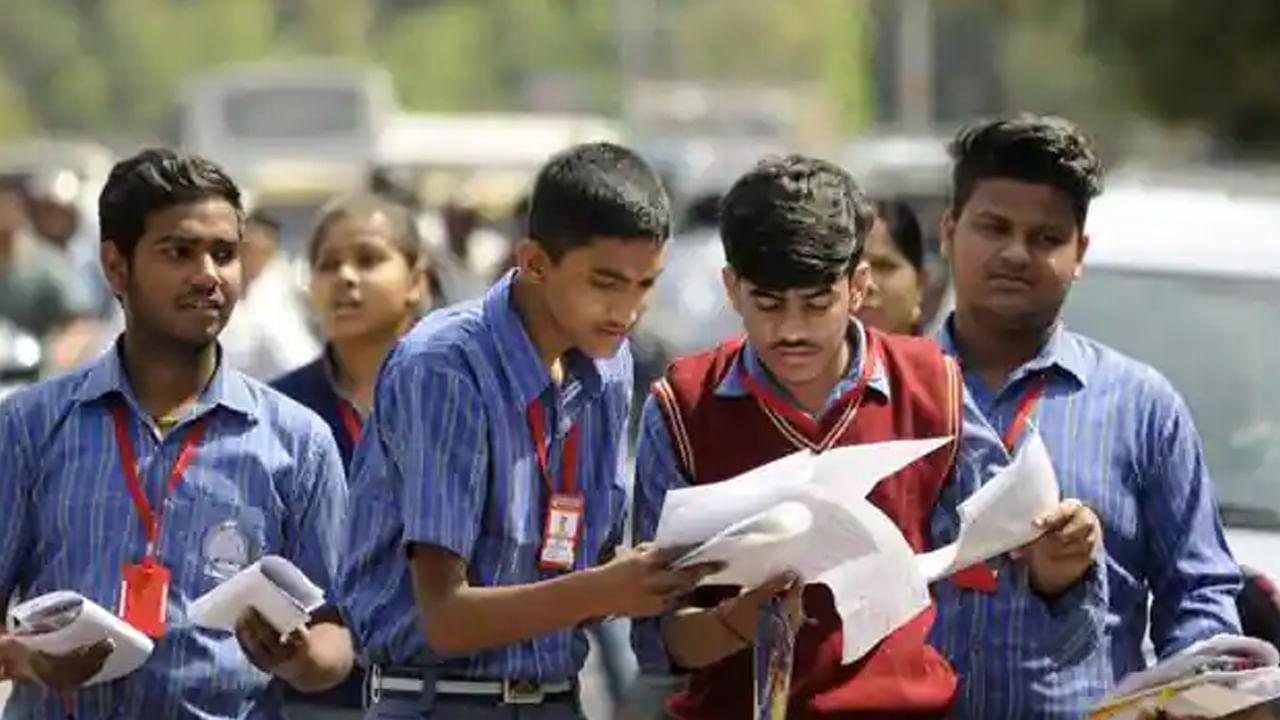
column 895, row 253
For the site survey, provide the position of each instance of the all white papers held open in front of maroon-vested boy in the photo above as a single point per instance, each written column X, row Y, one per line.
column 810, row 514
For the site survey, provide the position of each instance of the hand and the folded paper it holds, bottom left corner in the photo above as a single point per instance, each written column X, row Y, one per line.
column 72, row 642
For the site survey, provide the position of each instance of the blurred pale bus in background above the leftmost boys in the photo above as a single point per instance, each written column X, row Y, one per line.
column 322, row 111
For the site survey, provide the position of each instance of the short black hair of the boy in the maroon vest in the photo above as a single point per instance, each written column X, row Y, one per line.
column 796, row 222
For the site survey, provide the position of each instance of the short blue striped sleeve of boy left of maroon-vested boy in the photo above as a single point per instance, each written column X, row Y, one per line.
column 435, row 434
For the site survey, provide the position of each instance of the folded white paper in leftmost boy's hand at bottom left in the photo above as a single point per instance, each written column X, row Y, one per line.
column 62, row 622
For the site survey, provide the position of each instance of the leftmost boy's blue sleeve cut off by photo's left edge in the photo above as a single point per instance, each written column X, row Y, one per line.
column 16, row 523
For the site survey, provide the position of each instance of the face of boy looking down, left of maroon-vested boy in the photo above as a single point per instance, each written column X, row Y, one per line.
column 597, row 293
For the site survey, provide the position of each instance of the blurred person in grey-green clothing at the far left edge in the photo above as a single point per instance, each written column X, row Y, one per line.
column 40, row 290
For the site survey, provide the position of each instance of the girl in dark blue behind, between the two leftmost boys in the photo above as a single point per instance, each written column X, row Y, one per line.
column 368, row 288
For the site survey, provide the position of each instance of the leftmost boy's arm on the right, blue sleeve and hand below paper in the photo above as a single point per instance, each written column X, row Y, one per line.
column 326, row 657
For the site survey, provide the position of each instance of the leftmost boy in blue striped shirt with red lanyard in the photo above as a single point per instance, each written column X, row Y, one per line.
column 93, row 457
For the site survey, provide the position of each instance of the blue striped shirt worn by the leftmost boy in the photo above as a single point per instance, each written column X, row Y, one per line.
column 266, row 479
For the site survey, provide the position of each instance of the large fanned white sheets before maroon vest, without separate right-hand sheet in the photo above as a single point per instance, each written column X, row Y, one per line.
column 810, row 514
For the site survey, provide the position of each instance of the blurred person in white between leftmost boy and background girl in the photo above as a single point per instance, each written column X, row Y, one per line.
column 269, row 334
